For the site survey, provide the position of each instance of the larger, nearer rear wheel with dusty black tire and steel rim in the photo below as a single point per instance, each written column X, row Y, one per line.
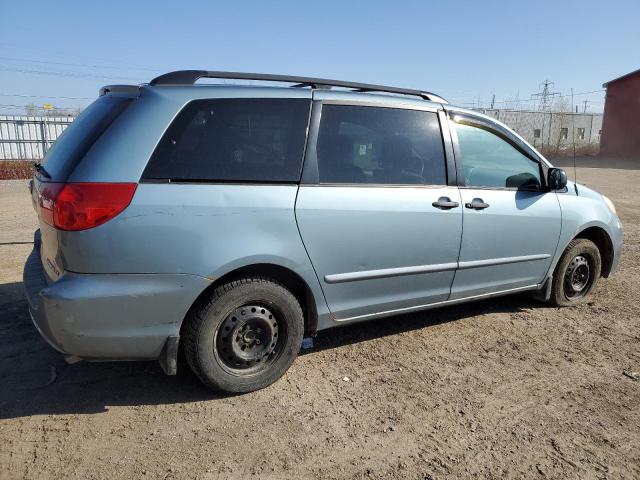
column 245, row 336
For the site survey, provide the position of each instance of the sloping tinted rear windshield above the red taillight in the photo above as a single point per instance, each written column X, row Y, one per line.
column 78, row 138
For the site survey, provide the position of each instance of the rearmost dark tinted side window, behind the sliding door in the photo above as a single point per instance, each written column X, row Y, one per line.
column 236, row 140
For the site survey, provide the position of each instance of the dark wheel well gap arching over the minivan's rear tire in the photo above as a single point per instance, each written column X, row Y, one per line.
column 296, row 285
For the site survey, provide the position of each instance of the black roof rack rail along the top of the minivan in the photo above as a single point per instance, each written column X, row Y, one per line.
column 189, row 77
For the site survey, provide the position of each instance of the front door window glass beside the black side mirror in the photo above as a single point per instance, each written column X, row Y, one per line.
column 490, row 161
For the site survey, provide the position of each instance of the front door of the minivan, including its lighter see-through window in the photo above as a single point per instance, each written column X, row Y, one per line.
column 511, row 224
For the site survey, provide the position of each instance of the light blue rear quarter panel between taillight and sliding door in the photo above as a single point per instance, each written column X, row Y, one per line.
column 199, row 229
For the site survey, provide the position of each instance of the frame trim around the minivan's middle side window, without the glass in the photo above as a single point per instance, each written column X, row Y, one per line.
column 310, row 171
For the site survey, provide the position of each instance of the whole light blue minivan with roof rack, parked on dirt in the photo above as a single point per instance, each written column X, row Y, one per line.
column 228, row 222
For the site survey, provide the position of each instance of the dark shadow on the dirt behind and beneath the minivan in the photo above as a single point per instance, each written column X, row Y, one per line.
column 37, row 381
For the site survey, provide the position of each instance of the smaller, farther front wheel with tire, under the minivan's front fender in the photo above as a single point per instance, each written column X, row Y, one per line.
column 576, row 274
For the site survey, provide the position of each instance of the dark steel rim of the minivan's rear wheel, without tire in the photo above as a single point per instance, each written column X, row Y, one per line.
column 247, row 339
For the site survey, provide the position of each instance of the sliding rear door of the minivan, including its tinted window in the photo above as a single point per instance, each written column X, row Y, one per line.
column 380, row 223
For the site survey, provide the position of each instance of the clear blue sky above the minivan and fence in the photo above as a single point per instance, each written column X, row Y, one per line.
column 465, row 51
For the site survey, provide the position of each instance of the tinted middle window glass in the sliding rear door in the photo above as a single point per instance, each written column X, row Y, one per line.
column 380, row 146
